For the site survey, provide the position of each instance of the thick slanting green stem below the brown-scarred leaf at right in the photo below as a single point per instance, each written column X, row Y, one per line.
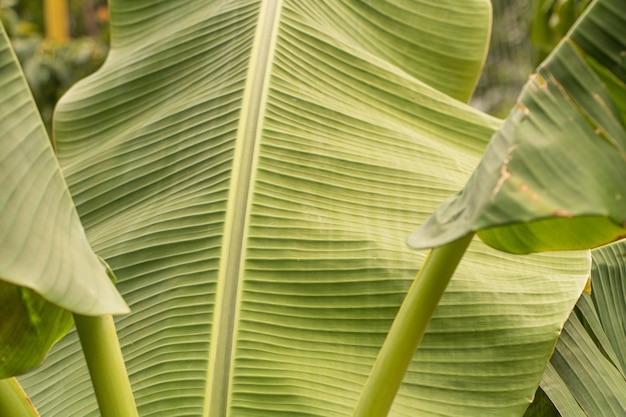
column 408, row 329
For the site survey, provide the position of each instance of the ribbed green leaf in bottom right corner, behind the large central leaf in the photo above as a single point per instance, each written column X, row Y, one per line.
column 586, row 376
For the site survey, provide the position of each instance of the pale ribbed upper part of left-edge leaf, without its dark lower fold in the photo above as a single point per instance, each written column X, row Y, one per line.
column 44, row 246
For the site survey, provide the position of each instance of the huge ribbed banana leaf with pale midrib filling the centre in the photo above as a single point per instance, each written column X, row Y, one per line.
column 250, row 170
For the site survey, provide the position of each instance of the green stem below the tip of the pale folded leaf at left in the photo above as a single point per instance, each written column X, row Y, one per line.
column 106, row 366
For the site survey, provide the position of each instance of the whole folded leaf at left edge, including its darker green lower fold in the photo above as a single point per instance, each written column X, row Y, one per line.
column 45, row 259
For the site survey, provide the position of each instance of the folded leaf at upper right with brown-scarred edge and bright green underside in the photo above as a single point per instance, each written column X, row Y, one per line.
column 551, row 177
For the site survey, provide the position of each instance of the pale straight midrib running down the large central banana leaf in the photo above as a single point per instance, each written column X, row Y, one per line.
column 235, row 227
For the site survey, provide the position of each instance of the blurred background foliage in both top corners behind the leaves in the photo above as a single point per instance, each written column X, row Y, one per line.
column 524, row 32
